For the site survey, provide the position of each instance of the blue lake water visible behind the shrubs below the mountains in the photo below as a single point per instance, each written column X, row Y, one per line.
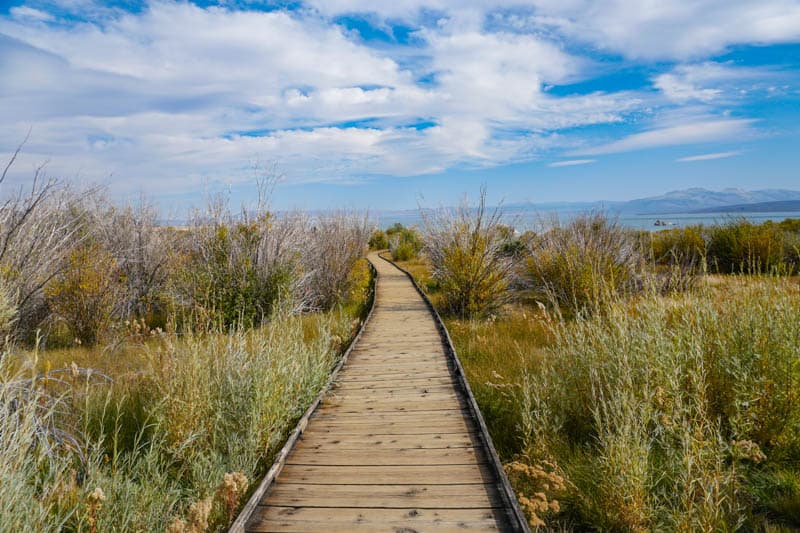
column 525, row 218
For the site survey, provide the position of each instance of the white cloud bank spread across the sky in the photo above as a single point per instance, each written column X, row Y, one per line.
column 171, row 94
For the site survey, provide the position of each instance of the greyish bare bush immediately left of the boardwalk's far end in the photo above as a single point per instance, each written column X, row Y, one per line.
column 336, row 242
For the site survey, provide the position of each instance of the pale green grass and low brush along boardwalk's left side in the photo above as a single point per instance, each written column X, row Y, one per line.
column 160, row 440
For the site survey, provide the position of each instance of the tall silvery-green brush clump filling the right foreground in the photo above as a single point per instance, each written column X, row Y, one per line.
column 671, row 413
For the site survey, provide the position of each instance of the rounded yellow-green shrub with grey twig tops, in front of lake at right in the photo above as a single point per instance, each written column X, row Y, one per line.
column 578, row 265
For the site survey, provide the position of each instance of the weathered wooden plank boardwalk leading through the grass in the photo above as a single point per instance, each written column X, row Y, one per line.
column 395, row 444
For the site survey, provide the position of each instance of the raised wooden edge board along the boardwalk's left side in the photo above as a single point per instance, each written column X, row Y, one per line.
column 239, row 524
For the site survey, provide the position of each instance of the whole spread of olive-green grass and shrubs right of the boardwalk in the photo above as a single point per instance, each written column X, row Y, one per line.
column 645, row 405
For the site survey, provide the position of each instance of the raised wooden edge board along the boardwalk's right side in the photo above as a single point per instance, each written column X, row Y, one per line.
column 516, row 516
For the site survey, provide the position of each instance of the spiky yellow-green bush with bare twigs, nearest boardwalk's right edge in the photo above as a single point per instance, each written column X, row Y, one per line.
column 466, row 249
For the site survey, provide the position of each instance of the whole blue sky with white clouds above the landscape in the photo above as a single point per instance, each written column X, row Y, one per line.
column 382, row 104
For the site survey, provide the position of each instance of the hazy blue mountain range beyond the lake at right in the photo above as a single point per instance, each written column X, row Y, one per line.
column 695, row 200
